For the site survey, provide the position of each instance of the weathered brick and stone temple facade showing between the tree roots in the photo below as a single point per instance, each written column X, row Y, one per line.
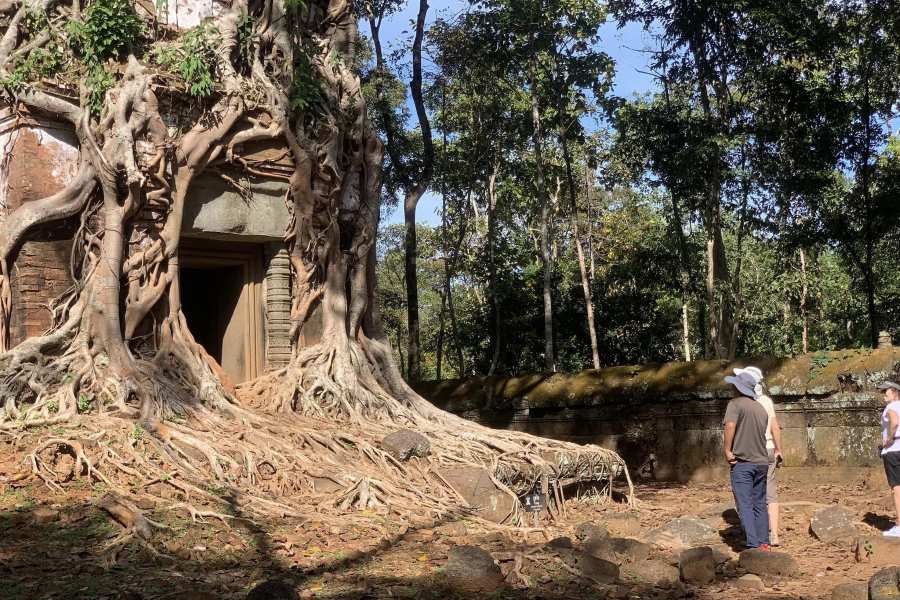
column 234, row 275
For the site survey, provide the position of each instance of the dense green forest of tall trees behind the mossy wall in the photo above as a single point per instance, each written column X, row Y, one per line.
column 768, row 135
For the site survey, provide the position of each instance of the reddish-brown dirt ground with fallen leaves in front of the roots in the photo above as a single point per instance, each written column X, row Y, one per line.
column 59, row 544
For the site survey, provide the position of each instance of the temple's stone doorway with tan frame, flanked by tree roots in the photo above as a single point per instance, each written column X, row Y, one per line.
column 222, row 299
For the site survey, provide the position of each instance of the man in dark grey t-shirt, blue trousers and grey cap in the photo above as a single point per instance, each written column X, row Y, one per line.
column 745, row 450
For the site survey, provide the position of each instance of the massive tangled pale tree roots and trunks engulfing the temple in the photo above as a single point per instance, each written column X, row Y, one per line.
column 120, row 367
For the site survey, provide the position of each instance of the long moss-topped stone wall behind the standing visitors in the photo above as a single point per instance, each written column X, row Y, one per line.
column 666, row 419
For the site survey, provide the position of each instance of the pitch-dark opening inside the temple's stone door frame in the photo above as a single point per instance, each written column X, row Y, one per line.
column 209, row 298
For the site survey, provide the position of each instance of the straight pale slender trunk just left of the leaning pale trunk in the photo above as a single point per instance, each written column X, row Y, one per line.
column 546, row 257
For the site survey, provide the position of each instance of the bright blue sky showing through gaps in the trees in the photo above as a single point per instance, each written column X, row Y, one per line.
column 623, row 45
